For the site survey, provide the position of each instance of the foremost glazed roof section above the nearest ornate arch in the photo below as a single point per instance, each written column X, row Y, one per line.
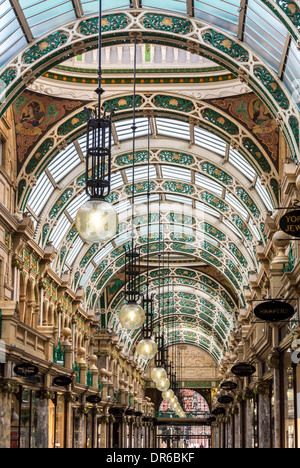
column 269, row 28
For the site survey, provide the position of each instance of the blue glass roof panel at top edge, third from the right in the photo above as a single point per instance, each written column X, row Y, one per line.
column 221, row 13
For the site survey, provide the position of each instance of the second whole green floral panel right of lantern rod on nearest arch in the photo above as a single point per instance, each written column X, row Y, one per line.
column 226, row 45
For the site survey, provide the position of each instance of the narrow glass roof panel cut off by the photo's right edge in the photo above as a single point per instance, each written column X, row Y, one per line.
column 291, row 77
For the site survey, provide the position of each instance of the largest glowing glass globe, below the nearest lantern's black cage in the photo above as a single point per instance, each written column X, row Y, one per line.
column 97, row 221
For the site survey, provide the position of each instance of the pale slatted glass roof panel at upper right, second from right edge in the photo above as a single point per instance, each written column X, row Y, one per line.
column 264, row 33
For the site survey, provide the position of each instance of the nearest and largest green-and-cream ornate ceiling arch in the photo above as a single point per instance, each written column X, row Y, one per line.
column 178, row 30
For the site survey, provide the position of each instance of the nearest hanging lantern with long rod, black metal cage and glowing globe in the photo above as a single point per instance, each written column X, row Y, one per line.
column 97, row 220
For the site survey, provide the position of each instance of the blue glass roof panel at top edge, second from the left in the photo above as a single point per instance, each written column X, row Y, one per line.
column 45, row 15
